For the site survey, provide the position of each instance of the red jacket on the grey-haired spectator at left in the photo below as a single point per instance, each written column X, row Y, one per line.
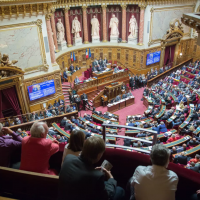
column 36, row 153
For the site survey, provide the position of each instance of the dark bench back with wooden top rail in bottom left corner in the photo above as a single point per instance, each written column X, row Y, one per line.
column 28, row 185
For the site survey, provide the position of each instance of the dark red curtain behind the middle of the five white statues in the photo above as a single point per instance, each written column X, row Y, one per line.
column 97, row 11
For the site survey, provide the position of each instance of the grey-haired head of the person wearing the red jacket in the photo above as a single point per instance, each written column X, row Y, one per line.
column 39, row 130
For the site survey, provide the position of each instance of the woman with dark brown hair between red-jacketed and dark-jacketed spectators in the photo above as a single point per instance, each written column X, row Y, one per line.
column 75, row 144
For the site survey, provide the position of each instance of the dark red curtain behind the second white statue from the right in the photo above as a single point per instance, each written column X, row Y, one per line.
column 117, row 11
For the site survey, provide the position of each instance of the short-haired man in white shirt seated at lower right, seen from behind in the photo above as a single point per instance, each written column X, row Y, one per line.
column 155, row 182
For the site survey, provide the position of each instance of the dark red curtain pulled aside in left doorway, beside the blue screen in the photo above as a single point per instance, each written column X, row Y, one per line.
column 11, row 97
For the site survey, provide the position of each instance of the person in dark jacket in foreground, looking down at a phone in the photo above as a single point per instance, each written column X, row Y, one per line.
column 80, row 180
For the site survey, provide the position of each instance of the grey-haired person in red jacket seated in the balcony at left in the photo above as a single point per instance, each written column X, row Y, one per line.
column 37, row 150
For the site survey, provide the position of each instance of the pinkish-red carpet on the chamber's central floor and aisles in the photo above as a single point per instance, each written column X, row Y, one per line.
column 137, row 108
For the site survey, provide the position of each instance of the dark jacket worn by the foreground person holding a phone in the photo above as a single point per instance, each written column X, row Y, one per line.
column 79, row 180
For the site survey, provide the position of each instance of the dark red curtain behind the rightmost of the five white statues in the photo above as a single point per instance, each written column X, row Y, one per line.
column 135, row 11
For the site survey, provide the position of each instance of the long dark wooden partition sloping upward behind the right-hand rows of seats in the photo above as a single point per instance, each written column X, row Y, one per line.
column 168, row 72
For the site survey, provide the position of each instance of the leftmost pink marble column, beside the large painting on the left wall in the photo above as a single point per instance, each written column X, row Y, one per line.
column 50, row 38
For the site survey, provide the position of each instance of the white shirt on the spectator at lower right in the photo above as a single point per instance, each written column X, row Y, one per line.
column 154, row 183
